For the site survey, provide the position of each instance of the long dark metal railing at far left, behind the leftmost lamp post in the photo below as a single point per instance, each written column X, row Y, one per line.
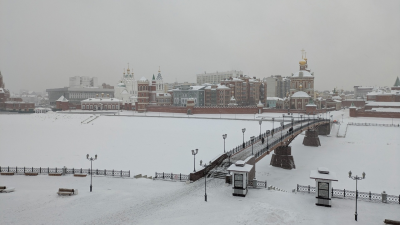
column 47, row 170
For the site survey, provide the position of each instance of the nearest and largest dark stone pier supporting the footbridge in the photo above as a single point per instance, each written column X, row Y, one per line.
column 282, row 158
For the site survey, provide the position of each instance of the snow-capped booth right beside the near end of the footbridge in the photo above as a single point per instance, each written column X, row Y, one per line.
column 240, row 176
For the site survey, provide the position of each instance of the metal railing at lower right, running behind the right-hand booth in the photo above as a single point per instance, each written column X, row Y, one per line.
column 346, row 194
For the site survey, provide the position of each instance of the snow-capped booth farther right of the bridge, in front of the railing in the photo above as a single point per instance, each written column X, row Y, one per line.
column 323, row 185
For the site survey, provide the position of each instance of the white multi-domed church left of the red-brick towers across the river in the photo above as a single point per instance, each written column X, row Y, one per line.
column 126, row 90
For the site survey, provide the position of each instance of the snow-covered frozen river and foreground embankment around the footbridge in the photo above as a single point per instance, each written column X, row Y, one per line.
column 152, row 143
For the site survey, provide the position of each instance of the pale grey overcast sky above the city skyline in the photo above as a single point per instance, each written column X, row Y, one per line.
column 43, row 43
